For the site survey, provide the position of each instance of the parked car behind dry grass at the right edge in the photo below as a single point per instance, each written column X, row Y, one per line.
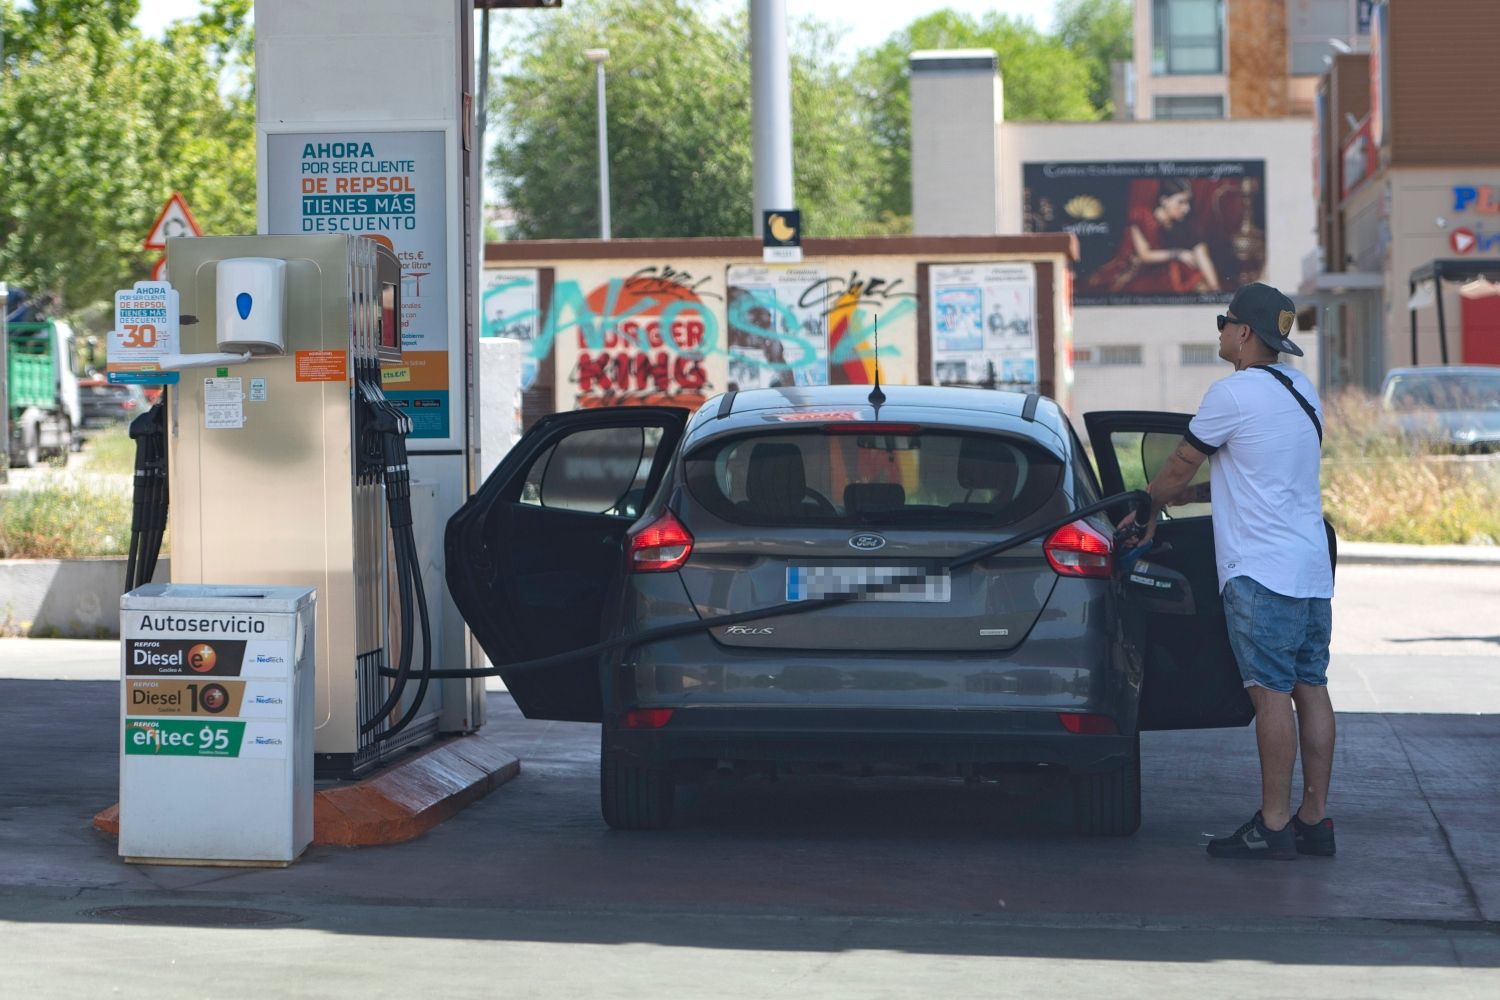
column 1451, row 407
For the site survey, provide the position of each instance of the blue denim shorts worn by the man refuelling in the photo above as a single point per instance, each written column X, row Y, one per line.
column 1279, row 641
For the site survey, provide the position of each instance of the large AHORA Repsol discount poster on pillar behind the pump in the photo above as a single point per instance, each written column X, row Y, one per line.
column 388, row 187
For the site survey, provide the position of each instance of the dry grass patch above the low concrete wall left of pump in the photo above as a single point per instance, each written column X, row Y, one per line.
column 65, row 521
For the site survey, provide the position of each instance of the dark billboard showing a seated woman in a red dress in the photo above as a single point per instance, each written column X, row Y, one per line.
column 1154, row 233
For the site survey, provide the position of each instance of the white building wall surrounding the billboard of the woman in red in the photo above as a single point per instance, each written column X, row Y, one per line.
column 1162, row 382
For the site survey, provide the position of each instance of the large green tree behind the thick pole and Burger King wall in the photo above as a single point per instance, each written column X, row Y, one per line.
column 679, row 119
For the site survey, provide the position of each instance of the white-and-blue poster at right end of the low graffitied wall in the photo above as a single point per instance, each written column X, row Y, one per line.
column 983, row 325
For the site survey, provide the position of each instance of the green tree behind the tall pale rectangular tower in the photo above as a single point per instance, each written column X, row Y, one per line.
column 1043, row 80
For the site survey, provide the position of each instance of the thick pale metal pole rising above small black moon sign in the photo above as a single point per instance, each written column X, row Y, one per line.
column 770, row 109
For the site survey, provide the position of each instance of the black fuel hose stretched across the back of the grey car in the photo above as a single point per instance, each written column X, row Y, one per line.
column 1139, row 499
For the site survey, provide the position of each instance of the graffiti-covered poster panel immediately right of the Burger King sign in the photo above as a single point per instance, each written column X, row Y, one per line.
column 778, row 332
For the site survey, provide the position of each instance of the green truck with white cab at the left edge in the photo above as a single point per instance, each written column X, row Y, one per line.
column 44, row 409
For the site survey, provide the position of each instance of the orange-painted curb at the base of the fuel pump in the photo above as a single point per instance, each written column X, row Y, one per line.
column 401, row 801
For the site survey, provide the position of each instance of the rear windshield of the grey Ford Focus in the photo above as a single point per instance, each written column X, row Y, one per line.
column 925, row 478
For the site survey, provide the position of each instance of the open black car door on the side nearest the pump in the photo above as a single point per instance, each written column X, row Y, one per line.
column 533, row 554
